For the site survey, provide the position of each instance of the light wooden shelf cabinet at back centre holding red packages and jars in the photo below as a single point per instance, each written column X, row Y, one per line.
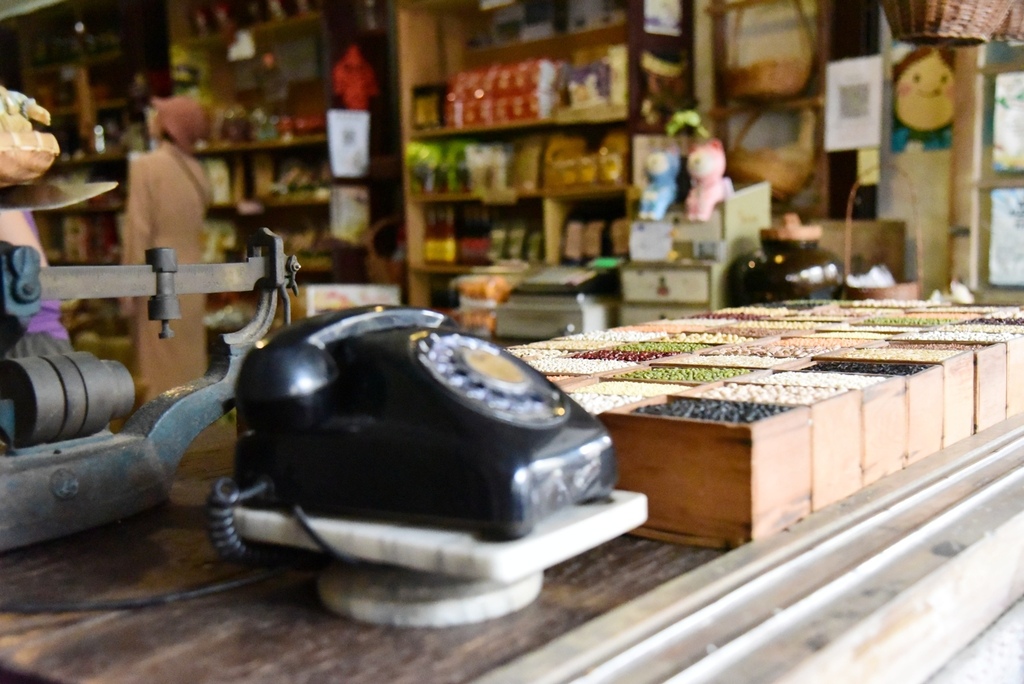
column 440, row 40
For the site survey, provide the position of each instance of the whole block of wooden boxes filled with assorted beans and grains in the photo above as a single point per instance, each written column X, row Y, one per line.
column 717, row 475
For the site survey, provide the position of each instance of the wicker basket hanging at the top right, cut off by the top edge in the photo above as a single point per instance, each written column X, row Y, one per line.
column 947, row 22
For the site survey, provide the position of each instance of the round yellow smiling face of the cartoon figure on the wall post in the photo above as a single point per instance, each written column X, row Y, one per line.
column 924, row 91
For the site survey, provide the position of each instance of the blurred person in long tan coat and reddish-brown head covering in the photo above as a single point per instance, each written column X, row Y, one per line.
column 168, row 195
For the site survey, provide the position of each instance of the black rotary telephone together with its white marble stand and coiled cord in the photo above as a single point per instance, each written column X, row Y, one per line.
column 452, row 471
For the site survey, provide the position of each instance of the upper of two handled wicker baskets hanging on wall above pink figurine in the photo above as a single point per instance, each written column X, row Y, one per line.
column 773, row 79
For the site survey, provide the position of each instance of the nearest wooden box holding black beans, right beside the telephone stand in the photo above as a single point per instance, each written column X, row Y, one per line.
column 713, row 483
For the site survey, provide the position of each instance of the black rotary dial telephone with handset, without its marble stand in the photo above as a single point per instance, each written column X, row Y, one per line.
column 394, row 412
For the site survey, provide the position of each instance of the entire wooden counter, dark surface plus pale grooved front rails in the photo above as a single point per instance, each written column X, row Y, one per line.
column 885, row 586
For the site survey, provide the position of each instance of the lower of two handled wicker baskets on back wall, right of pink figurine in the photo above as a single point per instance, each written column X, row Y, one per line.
column 788, row 169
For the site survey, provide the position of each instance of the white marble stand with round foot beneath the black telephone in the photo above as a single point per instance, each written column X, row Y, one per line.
column 429, row 577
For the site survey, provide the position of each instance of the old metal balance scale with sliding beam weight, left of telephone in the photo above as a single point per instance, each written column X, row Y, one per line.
column 64, row 471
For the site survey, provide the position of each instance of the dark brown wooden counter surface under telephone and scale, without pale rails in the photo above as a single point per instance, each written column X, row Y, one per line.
column 275, row 631
